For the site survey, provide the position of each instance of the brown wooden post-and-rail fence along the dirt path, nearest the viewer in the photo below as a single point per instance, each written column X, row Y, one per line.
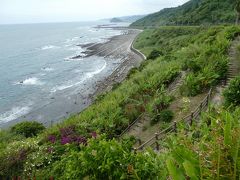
column 154, row 140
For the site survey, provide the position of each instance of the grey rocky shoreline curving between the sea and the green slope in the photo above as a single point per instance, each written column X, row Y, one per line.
column 115, row 48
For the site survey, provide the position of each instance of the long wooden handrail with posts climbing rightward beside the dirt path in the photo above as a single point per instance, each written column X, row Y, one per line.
column 188, row 118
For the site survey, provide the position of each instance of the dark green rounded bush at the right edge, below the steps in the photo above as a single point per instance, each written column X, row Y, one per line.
column 232, row 93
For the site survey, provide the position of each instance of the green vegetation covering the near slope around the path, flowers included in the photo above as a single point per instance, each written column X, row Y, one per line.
column 84, row 146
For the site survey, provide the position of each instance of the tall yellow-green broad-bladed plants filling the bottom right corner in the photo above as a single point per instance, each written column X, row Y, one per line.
column 212, row 152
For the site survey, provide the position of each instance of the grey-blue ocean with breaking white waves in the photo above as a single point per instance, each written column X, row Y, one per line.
column 38, row 78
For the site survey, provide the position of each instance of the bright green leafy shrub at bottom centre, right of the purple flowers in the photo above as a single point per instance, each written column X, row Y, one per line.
column 103, row 159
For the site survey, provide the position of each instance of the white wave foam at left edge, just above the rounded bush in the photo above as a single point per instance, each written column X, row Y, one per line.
column 14, row 113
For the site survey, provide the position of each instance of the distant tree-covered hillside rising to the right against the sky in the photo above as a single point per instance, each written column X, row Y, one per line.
column 194, row 12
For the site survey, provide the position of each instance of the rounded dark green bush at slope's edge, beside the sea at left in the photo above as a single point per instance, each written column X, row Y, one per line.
column 28, row 129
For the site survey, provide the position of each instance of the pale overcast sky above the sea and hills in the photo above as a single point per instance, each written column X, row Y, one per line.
column 34, row 11
